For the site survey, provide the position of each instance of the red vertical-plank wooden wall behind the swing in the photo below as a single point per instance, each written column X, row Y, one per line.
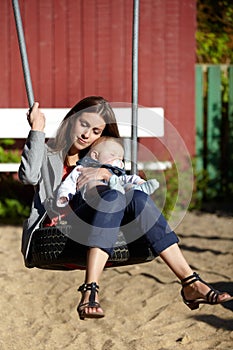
column 82, row 47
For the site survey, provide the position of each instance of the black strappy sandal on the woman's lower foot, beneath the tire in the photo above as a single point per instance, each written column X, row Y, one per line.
column 93, row 288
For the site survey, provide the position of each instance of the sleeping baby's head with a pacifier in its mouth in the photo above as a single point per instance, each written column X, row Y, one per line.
column 108, row 150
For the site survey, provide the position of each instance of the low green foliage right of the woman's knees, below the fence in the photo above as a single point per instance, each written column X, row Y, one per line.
column 171, row 197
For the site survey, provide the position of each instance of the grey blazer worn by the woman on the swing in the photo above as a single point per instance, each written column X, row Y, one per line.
column 35, row 153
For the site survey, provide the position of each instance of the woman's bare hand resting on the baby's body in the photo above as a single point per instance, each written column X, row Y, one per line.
column 92, row 174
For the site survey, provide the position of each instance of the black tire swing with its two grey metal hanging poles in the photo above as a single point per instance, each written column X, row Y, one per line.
column 50, row 247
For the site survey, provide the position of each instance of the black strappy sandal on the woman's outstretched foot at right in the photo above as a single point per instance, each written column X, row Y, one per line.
column 210, row 298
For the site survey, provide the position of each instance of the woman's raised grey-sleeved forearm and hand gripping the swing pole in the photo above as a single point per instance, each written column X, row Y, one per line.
column 33, row 152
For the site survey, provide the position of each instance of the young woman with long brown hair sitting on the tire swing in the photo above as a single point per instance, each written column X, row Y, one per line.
column 136, row 214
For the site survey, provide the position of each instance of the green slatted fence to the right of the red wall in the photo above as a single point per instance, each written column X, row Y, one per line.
column 214, row 127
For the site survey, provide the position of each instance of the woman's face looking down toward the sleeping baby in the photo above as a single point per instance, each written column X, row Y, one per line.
column 88, row 127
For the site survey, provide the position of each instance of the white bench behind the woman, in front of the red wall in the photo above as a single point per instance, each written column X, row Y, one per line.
column 14, row 125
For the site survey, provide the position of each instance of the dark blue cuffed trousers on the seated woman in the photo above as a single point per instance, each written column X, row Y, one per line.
column 101, row 217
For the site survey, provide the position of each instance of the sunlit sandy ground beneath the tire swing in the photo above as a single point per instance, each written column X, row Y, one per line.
column 142, row 302
